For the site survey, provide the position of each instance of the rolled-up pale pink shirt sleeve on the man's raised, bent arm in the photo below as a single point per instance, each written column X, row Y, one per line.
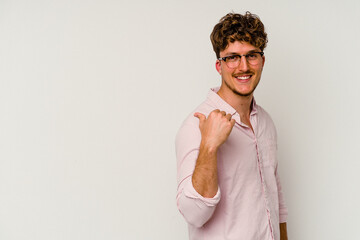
column 196, row 209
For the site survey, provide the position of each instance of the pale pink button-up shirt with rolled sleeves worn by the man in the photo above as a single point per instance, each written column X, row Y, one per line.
column 249, row 204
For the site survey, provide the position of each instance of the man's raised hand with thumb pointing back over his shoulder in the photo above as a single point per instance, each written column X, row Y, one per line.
column 215, row 129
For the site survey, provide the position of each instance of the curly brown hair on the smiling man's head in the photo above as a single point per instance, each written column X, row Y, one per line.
column 236, row 27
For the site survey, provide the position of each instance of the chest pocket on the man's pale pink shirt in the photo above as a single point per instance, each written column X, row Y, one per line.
column 268, row 154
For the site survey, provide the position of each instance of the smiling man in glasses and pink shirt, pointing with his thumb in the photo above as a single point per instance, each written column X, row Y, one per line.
column 228, row 183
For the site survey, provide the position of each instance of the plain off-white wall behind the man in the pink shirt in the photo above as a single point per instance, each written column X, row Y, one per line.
column 92, row 94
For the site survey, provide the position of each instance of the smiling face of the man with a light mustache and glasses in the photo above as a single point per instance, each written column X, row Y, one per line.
column 240, row 81
